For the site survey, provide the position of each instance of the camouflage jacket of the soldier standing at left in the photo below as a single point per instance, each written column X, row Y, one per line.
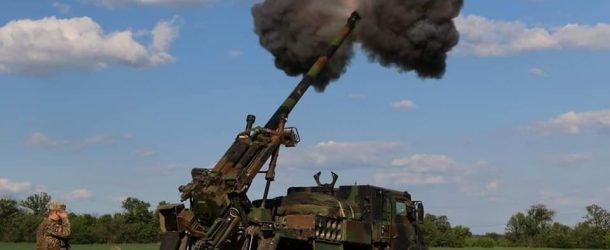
column 50, row 233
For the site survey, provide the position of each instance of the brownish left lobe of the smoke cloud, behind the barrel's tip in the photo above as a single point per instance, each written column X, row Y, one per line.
column 296, row 32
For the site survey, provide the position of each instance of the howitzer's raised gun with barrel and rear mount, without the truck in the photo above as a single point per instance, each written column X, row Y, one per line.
column 219, row 207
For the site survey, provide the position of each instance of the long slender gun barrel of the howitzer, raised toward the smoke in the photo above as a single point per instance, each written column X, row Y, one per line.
column 311, row 75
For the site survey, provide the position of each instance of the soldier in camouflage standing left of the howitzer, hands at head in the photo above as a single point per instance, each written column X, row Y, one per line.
column 54, row 231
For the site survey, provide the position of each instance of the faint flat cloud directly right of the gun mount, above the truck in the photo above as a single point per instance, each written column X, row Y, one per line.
column 339, row 153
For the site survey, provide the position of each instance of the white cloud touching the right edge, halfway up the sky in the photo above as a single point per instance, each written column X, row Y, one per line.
column 574, row 123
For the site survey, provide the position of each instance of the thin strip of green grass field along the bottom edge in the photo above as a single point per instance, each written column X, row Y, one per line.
column 31, row 246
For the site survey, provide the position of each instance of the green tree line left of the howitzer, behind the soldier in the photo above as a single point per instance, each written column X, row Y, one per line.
column 135, row 224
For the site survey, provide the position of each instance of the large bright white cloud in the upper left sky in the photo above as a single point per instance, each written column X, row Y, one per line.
column 50, row 45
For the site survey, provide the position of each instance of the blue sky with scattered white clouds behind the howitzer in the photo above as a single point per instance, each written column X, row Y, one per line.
column 147, row 91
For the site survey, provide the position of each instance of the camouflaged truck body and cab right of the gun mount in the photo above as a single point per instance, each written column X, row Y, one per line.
column 347, row 217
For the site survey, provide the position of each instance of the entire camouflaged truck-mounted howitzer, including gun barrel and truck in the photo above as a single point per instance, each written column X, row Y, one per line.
column 221, row 216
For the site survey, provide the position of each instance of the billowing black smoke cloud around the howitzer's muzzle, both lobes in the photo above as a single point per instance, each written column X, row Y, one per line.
column 407, row 34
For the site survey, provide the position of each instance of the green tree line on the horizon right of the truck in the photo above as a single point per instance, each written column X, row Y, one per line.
column 533, row 228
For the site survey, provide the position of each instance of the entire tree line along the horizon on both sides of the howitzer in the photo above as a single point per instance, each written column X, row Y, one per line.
column 137, row 223
